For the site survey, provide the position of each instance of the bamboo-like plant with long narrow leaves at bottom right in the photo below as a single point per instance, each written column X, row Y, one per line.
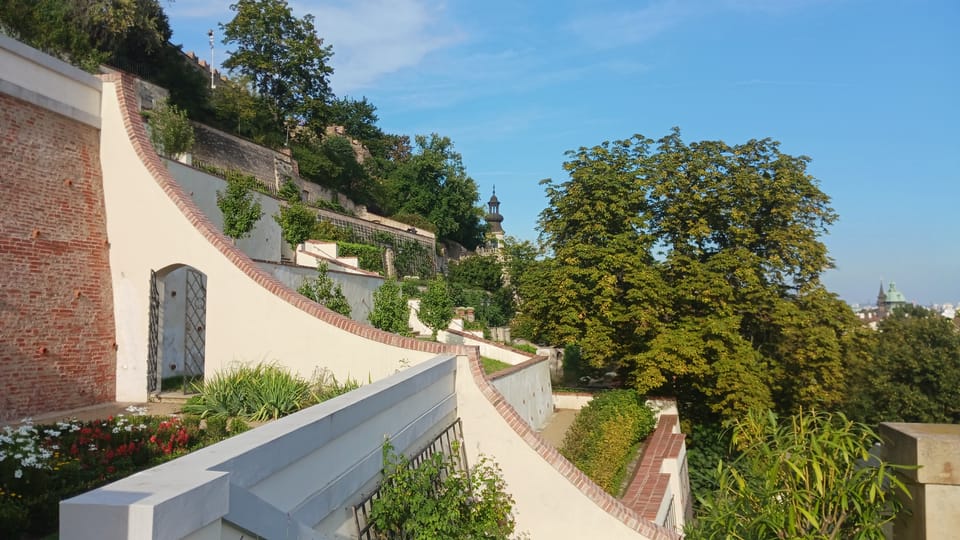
column 809, row 477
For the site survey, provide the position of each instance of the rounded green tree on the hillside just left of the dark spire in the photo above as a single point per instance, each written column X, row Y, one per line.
column 433, row 183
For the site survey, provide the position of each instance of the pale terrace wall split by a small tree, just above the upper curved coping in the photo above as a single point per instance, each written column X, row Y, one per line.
column 265, row 238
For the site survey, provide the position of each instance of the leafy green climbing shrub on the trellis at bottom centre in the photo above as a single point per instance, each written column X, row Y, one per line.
column 437, row 499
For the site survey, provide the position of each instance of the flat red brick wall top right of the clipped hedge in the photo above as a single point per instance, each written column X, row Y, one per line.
column 648, row 485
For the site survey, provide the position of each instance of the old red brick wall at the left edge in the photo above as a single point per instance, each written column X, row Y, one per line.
column 56, row 301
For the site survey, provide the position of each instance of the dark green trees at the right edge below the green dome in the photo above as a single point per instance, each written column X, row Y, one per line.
column 907, row 371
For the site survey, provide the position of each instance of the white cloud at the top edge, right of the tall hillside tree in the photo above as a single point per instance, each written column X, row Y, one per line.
column 373, row 38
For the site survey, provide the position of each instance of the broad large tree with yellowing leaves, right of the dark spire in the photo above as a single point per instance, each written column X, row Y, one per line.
column 694, row 269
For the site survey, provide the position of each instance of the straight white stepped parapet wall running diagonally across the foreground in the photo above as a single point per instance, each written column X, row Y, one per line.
column 293, row 478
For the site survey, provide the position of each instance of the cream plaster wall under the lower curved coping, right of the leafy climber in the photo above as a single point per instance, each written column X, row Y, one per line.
column 547, row 505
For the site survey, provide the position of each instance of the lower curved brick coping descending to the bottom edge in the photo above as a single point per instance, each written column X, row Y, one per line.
column 610, row 504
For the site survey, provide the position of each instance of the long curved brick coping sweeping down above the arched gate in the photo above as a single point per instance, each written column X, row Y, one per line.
column 133, row 122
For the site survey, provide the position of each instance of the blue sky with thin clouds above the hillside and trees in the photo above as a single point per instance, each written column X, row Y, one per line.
column 870, row 90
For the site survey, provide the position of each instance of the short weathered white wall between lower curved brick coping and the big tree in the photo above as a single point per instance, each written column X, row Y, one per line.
column 529, row 391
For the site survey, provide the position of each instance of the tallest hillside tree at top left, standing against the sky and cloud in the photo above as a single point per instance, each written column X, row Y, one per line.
column 282, row 55
